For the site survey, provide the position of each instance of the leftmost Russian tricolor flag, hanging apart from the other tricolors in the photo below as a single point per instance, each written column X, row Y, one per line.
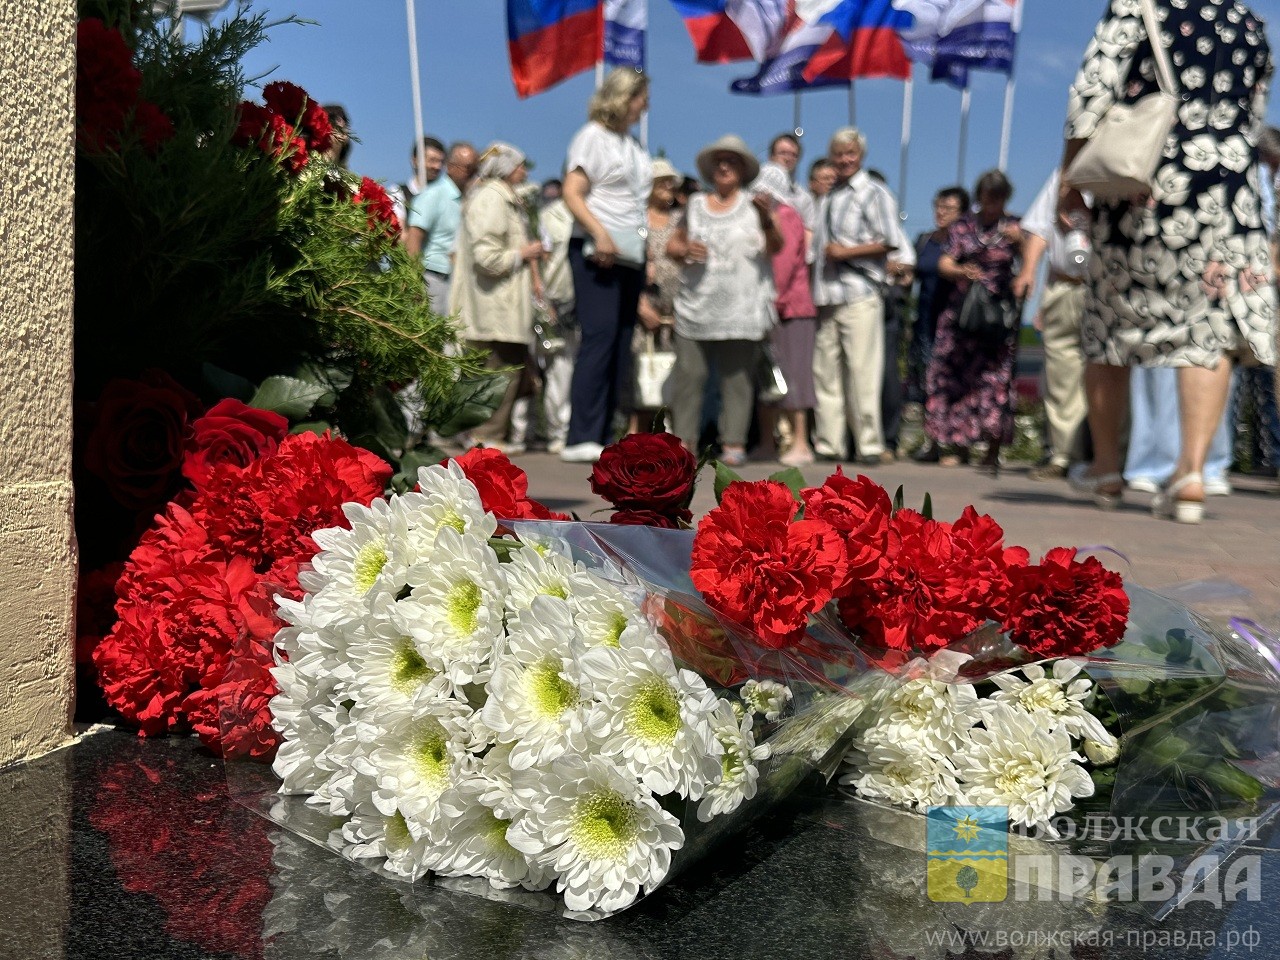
column 552, row 40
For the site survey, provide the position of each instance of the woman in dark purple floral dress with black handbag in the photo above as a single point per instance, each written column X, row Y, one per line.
column 971, row 381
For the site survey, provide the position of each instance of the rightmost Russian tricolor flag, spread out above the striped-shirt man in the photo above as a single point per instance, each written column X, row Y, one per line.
column 865, row 43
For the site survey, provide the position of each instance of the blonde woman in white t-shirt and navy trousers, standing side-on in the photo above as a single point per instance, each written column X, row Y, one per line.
column 606, row 189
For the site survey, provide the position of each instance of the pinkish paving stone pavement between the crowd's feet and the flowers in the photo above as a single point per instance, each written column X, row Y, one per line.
column 1227, row 566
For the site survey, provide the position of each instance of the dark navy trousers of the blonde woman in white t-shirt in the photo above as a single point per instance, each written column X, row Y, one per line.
column 607, row 304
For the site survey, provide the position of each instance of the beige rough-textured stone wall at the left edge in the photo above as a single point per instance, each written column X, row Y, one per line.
column 38, row 552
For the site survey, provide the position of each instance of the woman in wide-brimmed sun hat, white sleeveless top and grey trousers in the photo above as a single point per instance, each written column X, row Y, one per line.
column 725, row 307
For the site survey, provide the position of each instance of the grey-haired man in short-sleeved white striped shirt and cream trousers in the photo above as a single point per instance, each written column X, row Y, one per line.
column 856, row 230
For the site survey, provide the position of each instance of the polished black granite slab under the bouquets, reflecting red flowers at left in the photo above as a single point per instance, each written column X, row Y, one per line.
column 130, row 849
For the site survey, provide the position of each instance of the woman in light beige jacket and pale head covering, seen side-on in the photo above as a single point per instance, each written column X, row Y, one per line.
column 496, row 281
